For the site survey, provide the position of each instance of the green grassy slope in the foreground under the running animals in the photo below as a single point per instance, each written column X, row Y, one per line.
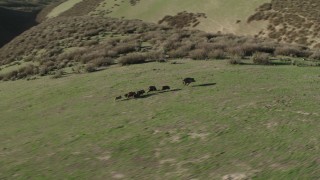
column 260, row 122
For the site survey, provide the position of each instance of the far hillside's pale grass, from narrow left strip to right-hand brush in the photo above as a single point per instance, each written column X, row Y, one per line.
column 221, row 15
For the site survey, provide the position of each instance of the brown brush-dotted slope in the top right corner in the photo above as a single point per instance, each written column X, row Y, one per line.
column 291, row 21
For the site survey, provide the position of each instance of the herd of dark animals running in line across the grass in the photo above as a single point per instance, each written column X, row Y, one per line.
column 138, row 94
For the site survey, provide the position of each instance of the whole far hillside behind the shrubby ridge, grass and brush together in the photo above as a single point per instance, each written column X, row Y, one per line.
column 291, row 21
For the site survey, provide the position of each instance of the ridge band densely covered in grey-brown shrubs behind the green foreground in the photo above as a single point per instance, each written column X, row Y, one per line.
column 89, row 43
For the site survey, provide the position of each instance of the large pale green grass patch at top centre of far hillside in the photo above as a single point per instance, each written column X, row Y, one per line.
column 222, row 15
